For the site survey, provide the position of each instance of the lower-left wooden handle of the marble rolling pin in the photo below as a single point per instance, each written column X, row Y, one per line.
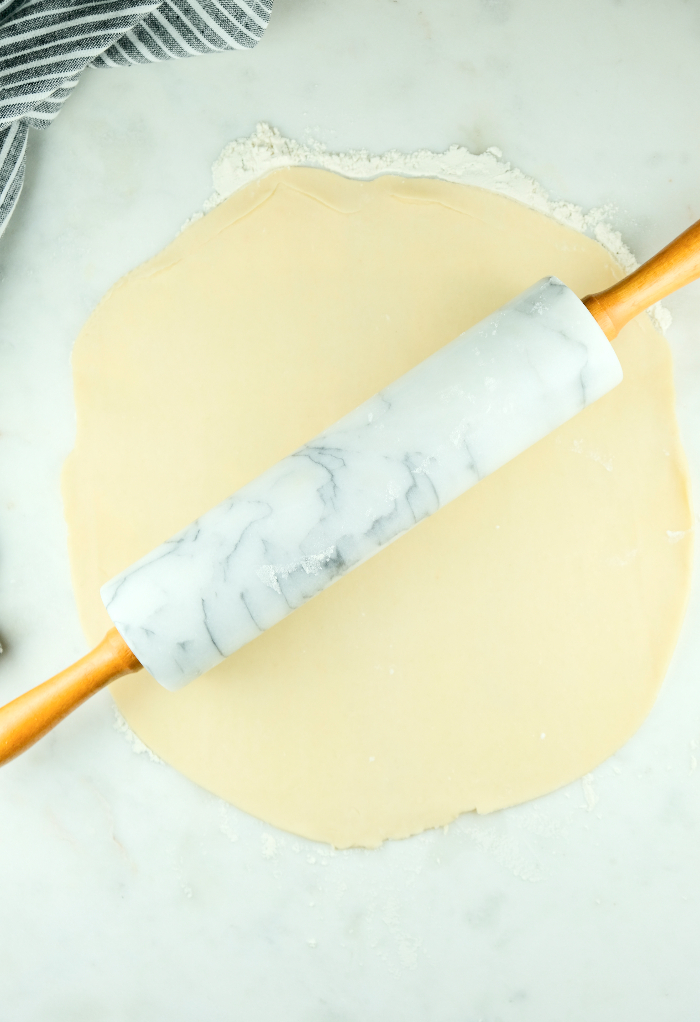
column 30, row 717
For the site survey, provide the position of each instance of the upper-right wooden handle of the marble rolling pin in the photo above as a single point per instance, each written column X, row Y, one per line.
column 674, row 267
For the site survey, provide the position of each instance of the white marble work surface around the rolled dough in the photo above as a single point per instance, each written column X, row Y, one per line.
column 125, row 892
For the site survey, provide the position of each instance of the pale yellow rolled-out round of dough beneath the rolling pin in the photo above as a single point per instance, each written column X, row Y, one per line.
column 505, row 646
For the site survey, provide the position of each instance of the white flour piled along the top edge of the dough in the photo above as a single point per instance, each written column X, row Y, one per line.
column 267, row 150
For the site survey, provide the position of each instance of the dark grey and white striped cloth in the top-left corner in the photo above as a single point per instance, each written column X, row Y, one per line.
column 46, row 44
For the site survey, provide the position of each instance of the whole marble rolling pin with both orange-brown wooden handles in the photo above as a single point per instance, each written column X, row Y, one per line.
column 424, row 441
